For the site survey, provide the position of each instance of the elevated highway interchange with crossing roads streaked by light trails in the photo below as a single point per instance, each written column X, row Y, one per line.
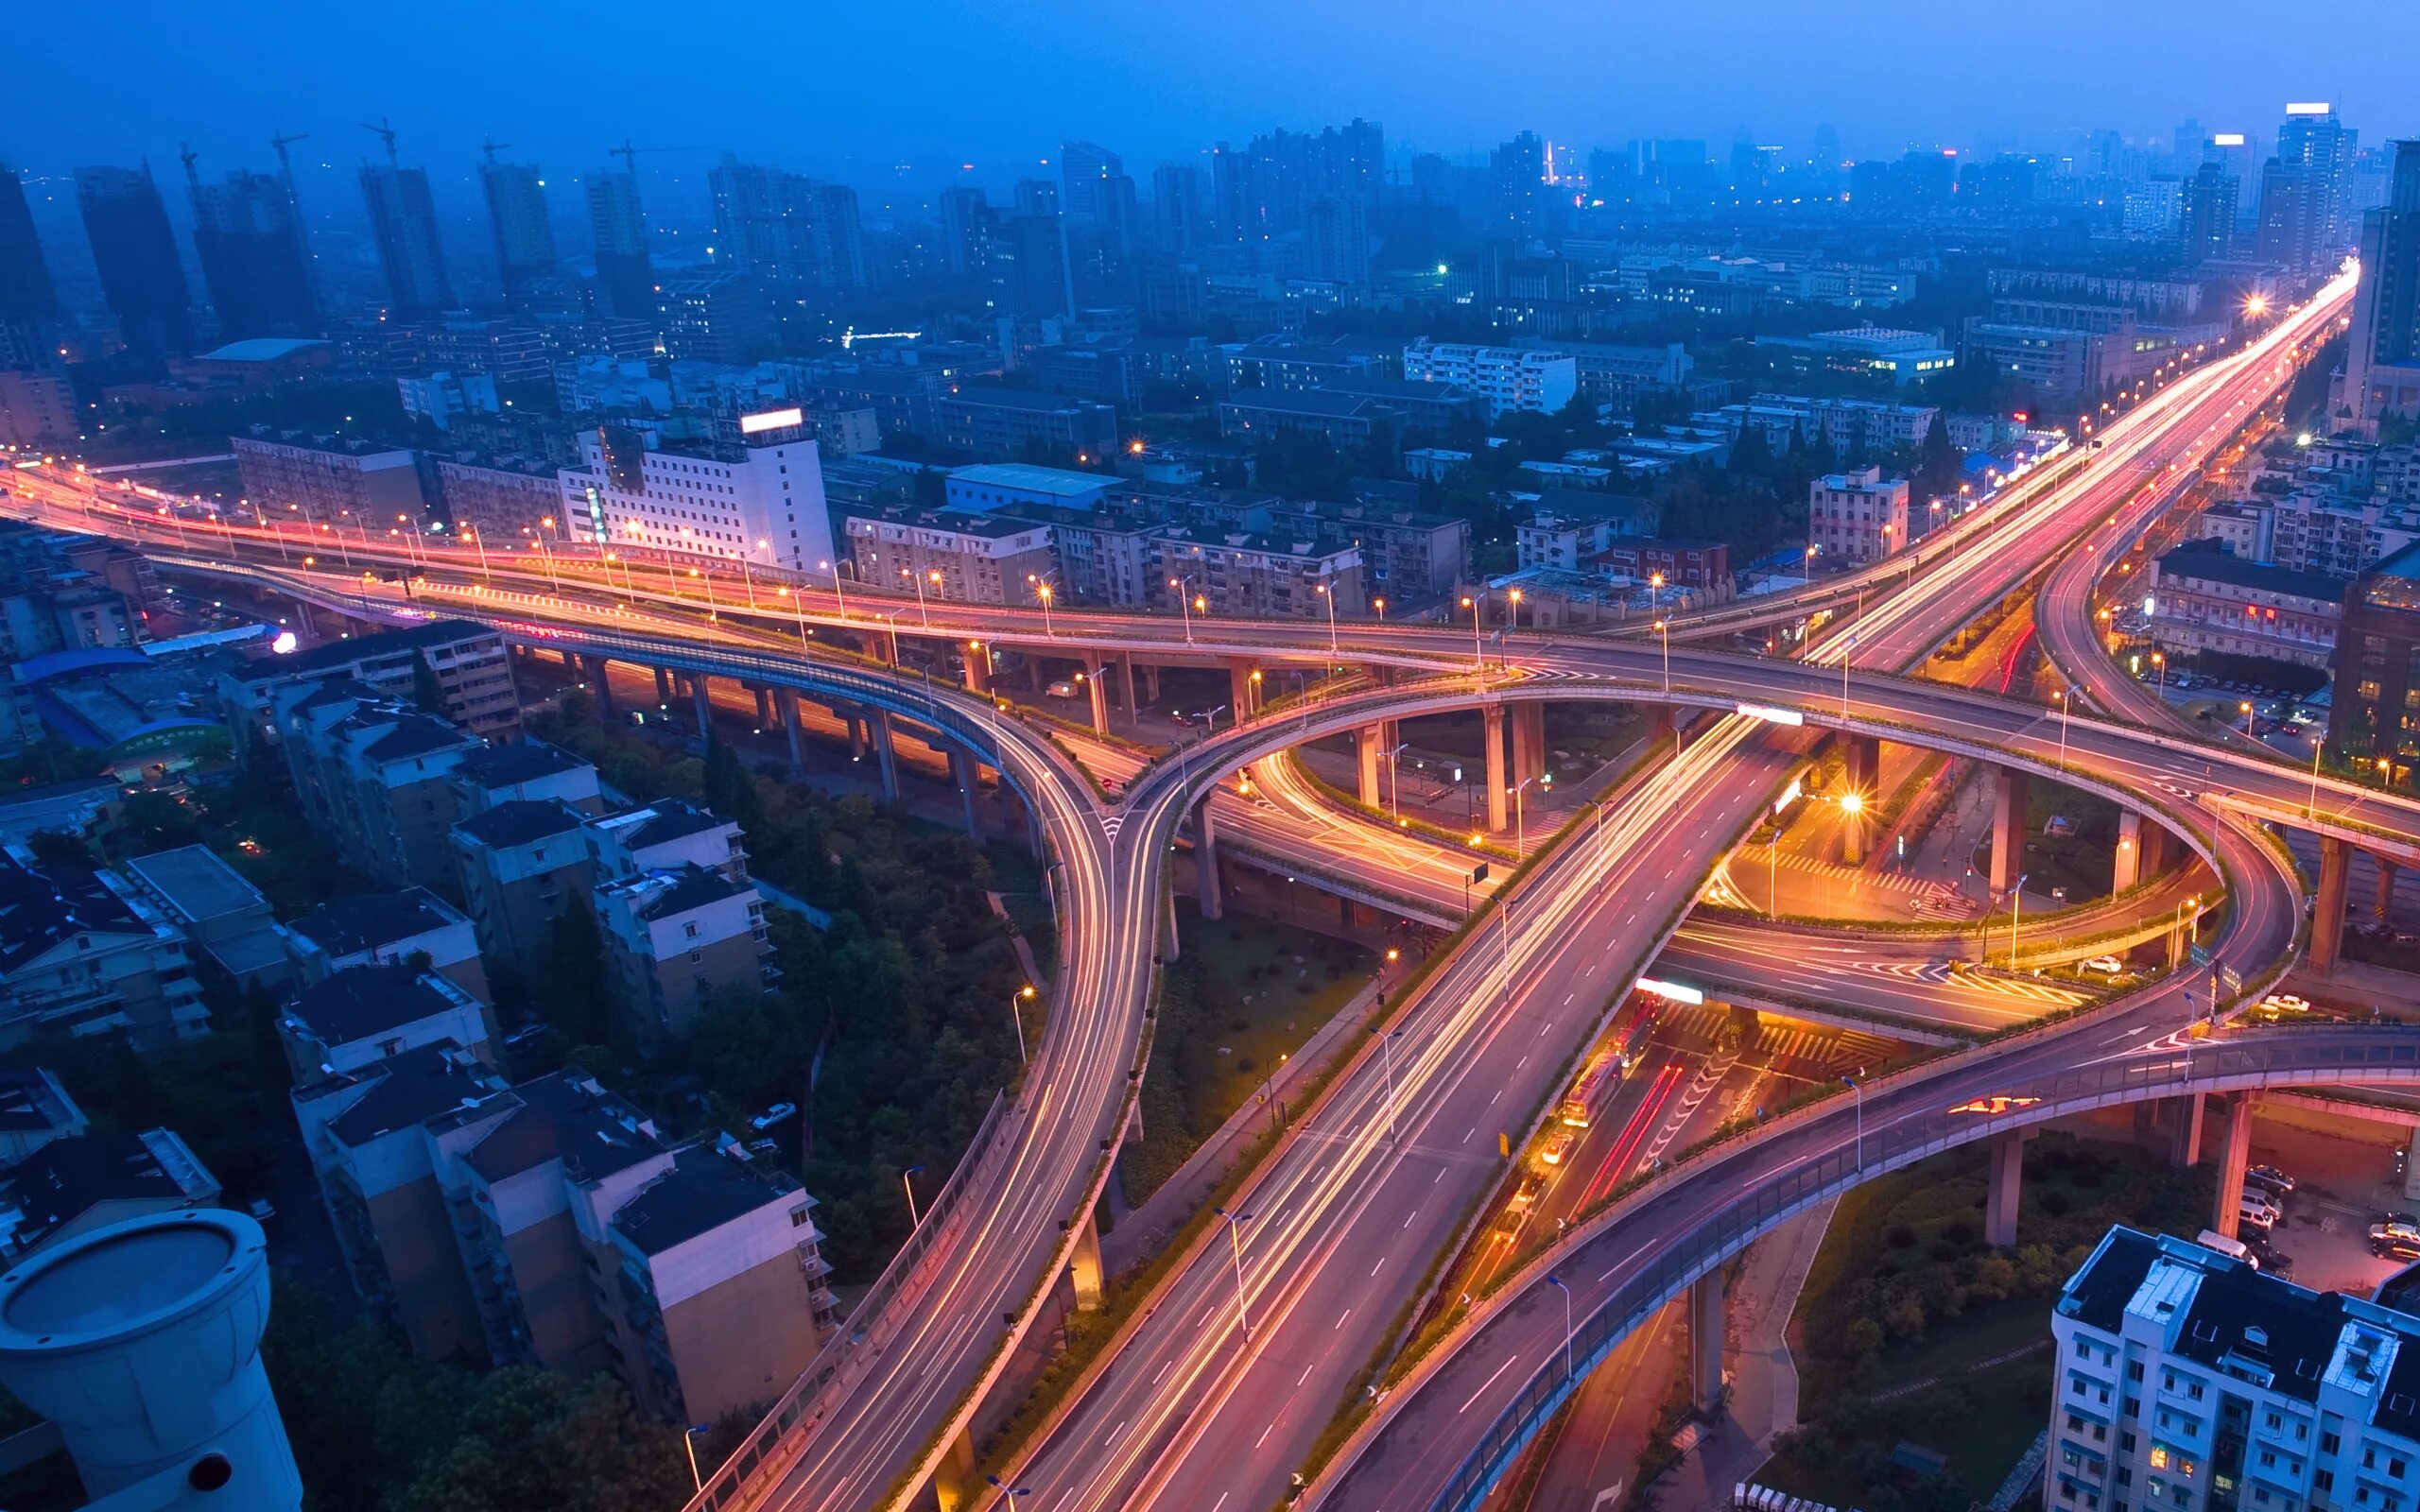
column 1388, row 1172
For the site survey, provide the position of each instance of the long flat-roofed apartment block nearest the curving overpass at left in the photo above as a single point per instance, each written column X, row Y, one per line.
column 471, row 662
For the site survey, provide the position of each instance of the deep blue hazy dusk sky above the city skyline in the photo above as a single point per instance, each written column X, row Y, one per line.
column 843, row 96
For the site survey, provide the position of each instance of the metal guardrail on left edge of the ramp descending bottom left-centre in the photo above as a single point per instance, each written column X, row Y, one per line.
column 846, row 1358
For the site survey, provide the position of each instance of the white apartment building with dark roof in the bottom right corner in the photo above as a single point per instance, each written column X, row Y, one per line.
column 2191, row 1383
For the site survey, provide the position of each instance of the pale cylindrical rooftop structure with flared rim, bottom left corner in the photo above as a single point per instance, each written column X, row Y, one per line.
column 144, row 1346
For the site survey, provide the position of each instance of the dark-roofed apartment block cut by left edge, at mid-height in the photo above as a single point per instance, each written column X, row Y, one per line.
column 86, row 954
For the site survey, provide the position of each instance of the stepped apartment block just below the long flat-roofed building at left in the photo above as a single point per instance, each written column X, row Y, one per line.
column 376, row 778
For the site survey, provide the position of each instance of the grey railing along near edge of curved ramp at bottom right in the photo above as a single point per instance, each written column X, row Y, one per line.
column 2274, row 1061
